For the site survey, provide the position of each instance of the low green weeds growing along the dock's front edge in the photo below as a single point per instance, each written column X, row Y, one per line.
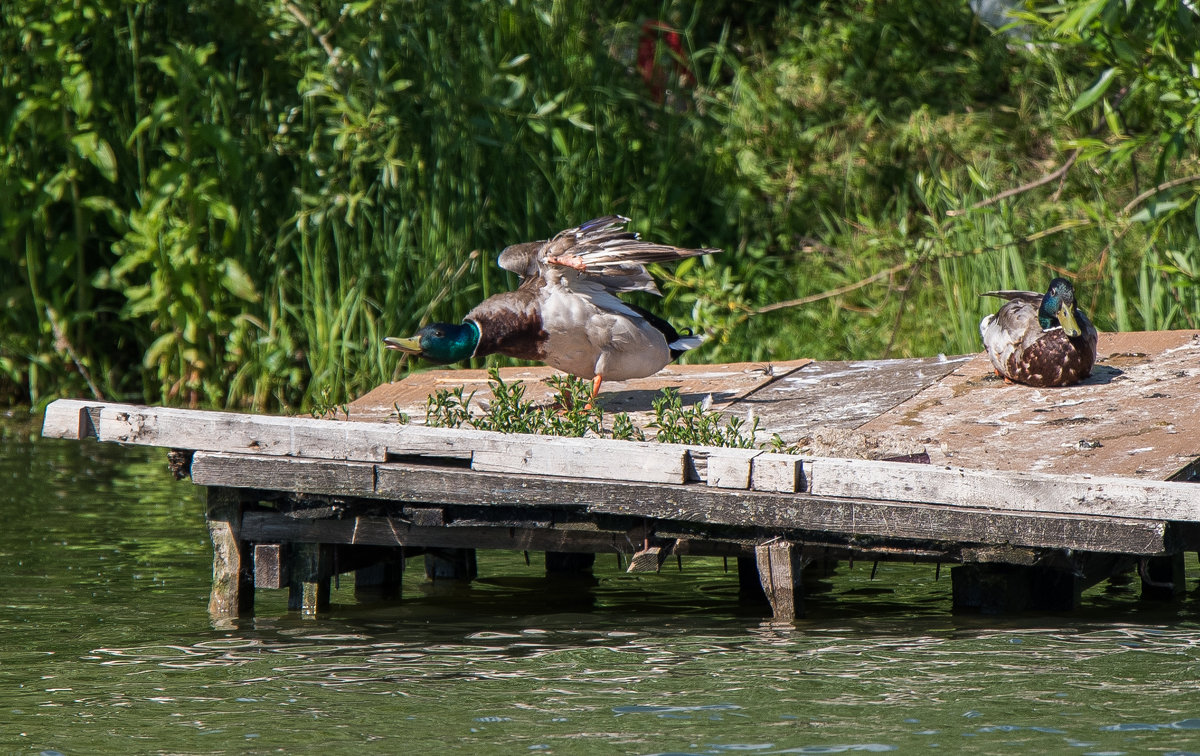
column 572, row 415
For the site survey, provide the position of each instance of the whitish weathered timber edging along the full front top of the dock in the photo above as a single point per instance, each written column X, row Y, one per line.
column 628, row 461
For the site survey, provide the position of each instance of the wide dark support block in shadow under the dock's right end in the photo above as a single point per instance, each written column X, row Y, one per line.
column 995, row 589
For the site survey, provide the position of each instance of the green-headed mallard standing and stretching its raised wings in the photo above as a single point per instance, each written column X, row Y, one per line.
column 567, row 313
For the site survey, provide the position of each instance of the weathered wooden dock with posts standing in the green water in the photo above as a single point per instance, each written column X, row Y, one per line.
column 1033, row 495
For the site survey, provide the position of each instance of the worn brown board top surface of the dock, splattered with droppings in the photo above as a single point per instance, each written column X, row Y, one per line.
column 1138, row 416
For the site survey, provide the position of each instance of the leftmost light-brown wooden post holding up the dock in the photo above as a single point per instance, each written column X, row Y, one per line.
column 233, row 578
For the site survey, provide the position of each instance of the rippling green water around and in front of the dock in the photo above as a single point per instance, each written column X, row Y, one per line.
column 106, row 649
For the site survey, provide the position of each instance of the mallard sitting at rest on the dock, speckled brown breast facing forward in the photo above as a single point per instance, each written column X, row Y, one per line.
column 1041, row 340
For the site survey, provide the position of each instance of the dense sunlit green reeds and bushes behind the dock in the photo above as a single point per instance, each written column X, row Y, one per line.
column 229, row 203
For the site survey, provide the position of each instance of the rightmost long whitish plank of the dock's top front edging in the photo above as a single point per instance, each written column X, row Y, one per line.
column 1011, row 490
